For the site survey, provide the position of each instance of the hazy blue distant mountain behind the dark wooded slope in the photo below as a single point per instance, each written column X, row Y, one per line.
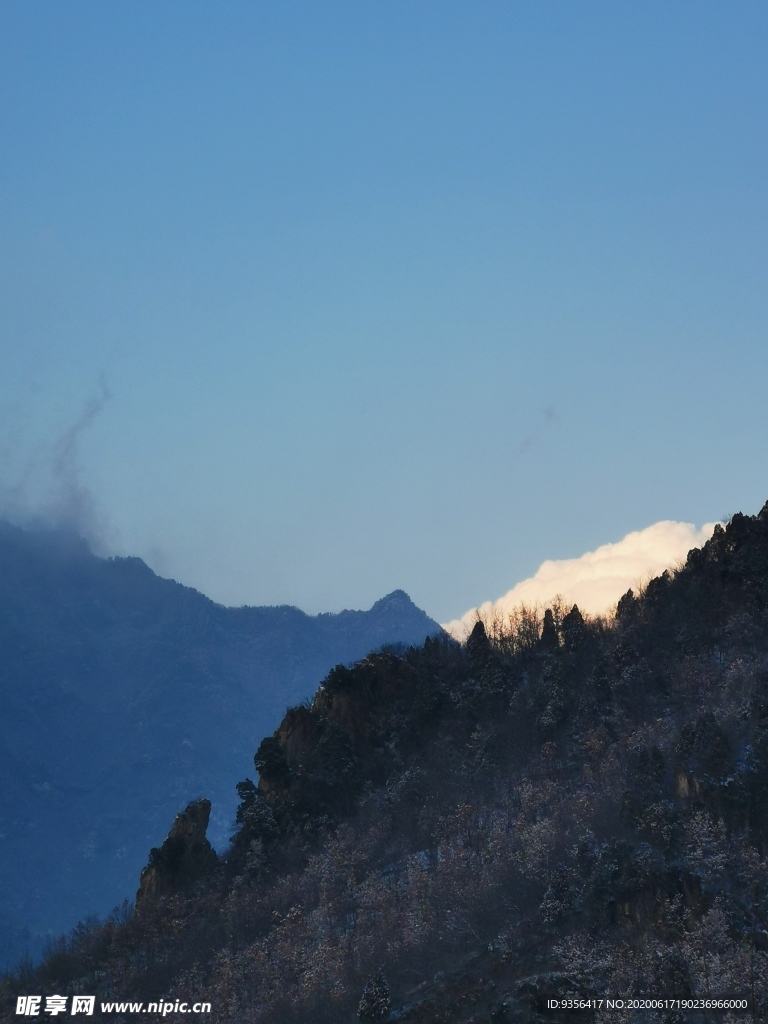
column 125, row 696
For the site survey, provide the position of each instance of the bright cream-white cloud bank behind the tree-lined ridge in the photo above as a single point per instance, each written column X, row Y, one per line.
column 599, row 579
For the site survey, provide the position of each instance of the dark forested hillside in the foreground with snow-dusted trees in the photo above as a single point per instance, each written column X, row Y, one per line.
column 452, row 834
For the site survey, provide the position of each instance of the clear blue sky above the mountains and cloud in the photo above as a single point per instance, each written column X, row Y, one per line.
column 311, row 302
